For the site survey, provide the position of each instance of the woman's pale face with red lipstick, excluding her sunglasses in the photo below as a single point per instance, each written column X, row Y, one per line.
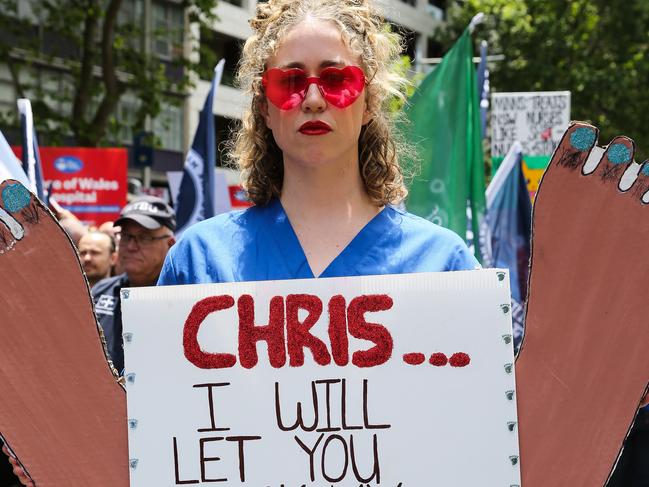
column 313, row 45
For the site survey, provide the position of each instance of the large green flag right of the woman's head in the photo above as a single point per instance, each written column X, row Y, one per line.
column 444, row 115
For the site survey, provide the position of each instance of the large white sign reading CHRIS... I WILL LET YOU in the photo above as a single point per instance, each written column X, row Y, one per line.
column 400, row 380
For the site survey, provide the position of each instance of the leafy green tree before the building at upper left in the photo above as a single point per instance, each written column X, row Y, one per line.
column 75, row 59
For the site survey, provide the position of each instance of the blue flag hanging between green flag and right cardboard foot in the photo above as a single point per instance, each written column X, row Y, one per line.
column 509, row 215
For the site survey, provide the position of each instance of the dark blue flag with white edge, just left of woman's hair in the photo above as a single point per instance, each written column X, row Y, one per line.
column 196, row 194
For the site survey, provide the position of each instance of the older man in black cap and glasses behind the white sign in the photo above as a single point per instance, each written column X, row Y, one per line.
column 147, row 225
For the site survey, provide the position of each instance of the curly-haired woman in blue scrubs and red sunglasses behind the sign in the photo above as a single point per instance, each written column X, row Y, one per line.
column 319, row 158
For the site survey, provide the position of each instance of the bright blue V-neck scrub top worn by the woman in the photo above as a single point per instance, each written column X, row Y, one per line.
column 259, row 244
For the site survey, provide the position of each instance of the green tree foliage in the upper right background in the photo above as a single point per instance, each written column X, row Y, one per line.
column 597, row 49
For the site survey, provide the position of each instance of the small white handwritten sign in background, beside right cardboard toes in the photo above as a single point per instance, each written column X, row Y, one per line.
column 536, row 119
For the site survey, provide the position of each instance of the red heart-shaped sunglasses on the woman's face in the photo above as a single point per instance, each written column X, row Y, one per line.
column 286, row 89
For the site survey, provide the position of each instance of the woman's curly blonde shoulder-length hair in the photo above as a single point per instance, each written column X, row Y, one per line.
column 365, row 32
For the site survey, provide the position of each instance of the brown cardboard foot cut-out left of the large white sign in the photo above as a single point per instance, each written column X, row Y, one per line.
column 62, row 412
